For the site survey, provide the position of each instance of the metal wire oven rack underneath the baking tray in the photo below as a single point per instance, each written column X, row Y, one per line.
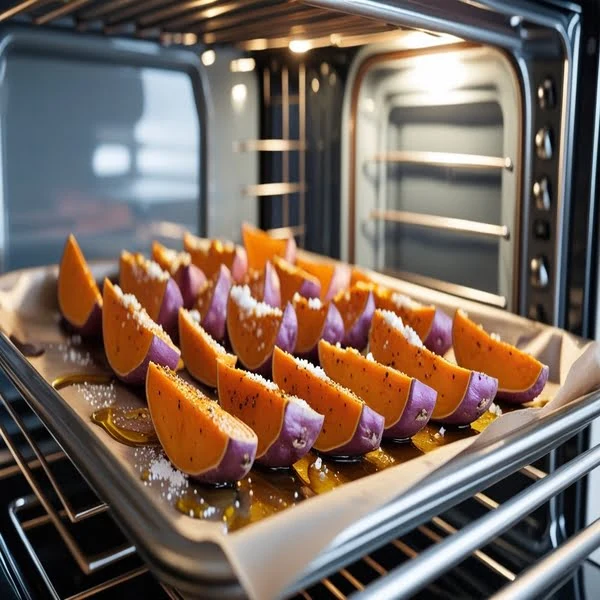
column 439, row 558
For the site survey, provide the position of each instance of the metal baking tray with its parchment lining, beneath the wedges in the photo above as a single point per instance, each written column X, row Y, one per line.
column 195, row 557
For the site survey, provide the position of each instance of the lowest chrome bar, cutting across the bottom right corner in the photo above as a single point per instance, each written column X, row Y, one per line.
column 542, row 576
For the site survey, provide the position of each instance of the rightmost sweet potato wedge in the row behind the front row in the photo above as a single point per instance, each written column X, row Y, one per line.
column 432, row 324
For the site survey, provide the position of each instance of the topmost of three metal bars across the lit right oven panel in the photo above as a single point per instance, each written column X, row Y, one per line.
column 446, row 159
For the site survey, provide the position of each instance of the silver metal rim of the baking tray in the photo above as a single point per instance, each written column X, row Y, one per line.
column 177, row 560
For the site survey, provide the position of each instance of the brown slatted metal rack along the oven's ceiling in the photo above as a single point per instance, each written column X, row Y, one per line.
column 208, row 22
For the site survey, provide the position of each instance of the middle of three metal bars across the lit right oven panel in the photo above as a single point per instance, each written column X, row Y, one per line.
column 442, row 223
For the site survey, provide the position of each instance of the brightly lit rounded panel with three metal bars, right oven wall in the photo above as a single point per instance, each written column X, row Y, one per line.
column 436, row 169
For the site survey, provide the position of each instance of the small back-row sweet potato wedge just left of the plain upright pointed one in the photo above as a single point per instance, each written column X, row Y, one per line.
column 209, row 255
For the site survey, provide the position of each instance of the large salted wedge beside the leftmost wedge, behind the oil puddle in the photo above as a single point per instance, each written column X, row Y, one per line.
column 131, row 338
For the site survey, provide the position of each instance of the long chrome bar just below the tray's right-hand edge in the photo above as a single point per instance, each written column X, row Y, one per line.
column 407, row 579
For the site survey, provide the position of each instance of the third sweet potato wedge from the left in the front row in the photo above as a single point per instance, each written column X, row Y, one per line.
column 351, row 427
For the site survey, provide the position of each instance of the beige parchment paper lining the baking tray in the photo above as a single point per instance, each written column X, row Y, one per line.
column 269, row 555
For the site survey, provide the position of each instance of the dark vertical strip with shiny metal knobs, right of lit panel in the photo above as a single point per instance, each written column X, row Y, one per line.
column 544, row 206
